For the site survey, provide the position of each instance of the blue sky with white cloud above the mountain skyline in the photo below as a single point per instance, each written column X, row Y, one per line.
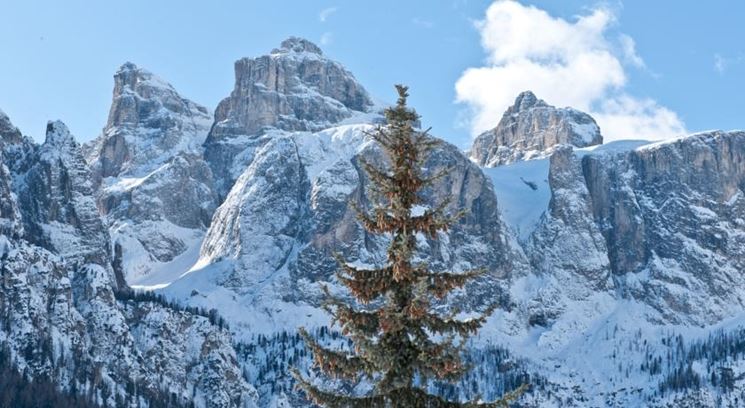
column 671, row 66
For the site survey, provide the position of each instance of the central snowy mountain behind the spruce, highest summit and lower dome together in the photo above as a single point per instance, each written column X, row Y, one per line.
column 271, row 241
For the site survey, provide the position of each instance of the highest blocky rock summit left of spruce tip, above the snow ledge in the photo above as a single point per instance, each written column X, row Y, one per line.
column 294, row 88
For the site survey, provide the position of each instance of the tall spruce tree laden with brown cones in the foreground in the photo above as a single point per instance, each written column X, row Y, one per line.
column 400, row 343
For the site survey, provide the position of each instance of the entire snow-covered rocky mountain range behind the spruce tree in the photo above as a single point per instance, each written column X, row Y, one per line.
column 618, row 266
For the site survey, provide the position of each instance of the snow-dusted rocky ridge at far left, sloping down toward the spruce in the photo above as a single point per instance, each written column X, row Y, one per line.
column 63, row 315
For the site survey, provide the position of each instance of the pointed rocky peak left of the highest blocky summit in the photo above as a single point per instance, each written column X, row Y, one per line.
column 155, row 189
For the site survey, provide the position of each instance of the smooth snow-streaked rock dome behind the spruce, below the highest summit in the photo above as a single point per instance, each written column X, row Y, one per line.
column 272, row 240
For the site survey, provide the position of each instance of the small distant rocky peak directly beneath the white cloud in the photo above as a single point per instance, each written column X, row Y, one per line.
column 530, row 129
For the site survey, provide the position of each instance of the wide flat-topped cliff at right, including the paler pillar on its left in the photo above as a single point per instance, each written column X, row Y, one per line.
column 661, row 224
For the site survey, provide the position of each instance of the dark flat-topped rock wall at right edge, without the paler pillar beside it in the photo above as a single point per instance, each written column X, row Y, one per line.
column 671, row 214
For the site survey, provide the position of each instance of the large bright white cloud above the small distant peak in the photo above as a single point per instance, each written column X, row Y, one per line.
column 567, row 63
